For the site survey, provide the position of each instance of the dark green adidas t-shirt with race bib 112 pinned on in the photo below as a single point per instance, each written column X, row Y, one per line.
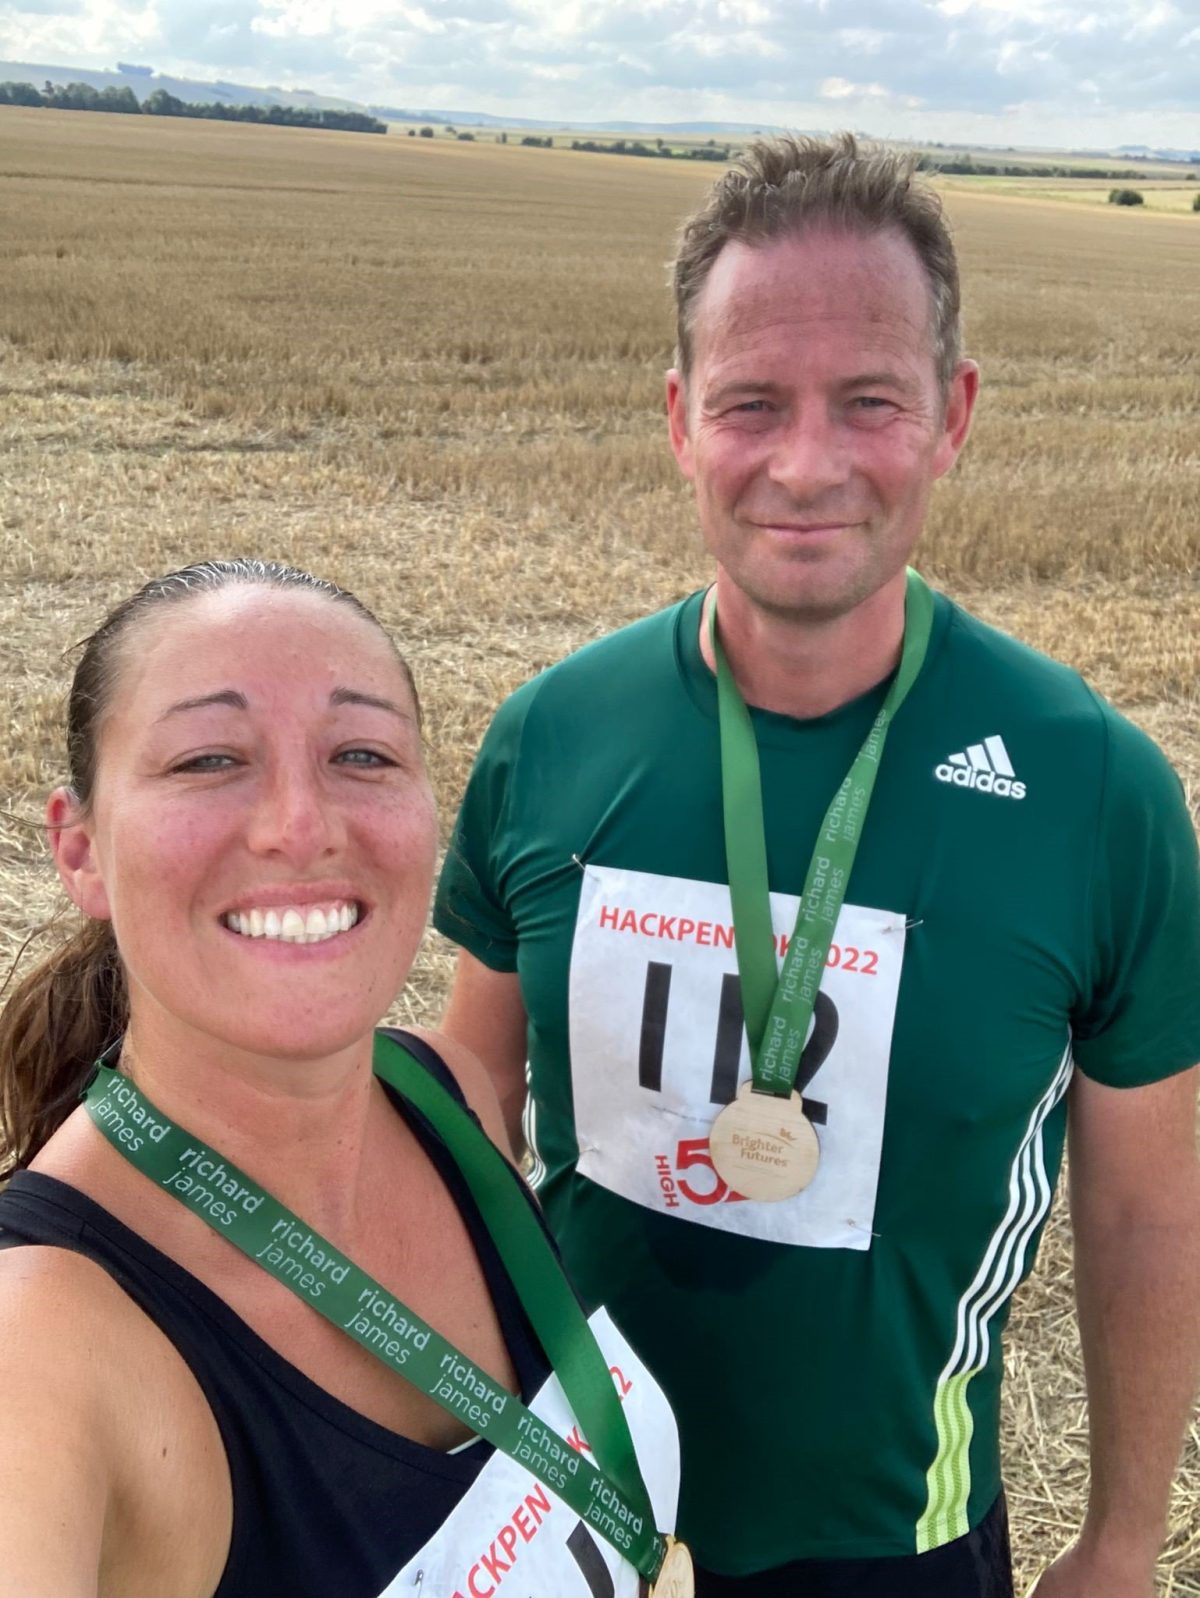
column 1027, row 897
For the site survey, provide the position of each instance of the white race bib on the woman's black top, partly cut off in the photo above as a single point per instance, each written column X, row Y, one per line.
column 514, row 1530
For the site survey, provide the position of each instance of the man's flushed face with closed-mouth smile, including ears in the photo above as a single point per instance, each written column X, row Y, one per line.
column 813, row 424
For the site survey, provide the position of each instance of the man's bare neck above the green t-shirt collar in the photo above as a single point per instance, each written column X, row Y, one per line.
column 803, row 667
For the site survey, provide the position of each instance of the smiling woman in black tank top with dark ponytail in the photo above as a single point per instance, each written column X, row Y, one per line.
column 252, row 835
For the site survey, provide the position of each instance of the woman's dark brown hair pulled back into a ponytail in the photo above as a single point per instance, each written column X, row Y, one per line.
column 71, row 1008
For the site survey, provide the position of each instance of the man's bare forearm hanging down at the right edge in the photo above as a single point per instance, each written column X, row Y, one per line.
column 1135, row 1209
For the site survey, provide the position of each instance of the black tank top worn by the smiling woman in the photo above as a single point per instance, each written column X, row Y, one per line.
column 327, row 1503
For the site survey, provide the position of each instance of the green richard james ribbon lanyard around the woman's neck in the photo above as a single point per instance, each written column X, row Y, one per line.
column 610, row 1497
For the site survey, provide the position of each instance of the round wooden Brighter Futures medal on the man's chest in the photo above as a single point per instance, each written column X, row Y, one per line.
column 765, row 1147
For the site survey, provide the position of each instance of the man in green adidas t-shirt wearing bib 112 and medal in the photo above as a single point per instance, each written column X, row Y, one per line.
column 1011, row 942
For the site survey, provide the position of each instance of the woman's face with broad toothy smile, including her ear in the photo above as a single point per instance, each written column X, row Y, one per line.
column 263, row 832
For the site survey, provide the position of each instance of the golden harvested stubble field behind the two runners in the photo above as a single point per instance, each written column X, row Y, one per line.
column 434, row 372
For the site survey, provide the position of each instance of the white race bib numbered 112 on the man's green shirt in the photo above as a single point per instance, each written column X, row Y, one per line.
column 659, row 1046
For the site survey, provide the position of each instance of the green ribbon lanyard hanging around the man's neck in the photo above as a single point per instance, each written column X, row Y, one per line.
column 779, row 1004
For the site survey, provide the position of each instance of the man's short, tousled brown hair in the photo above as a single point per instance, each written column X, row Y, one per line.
column 782, row 186
